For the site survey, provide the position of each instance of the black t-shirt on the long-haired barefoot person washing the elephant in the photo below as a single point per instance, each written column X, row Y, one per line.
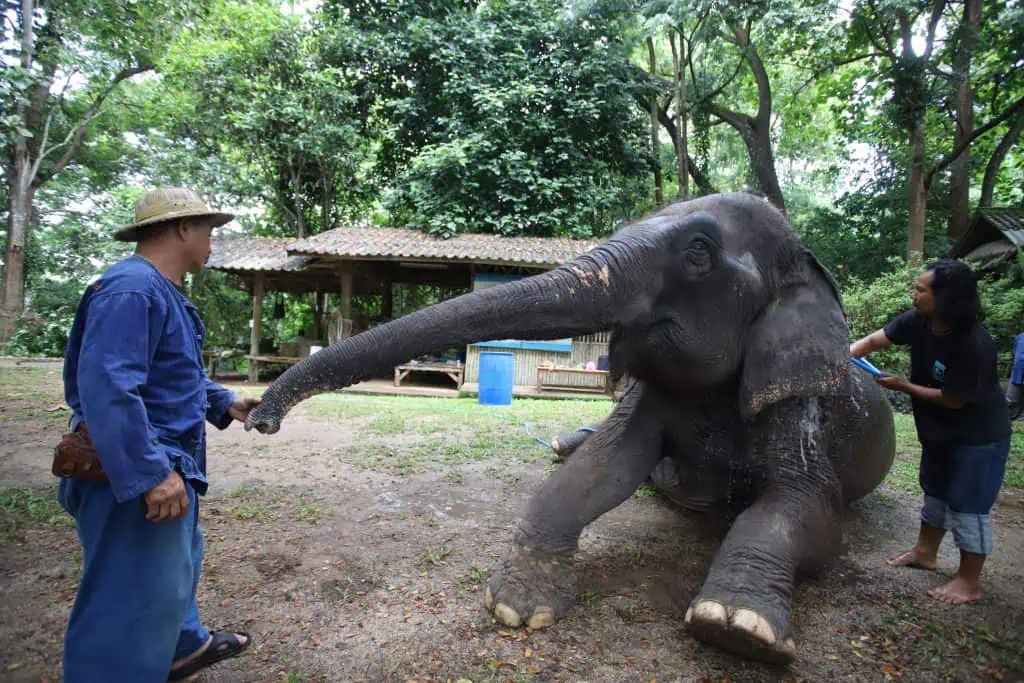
column 964, row 366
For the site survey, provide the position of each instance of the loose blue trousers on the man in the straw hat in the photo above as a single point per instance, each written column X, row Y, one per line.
column 136, row 610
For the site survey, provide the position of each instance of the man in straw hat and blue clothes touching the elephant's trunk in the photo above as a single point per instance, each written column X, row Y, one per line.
column 136, row 381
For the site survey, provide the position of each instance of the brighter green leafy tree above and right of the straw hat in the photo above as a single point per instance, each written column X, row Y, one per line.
column 301, row 135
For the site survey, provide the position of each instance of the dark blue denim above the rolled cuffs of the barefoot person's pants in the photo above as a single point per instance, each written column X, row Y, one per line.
column 966, row 478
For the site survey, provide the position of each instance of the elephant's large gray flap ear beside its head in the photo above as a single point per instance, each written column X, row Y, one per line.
column 800, row 345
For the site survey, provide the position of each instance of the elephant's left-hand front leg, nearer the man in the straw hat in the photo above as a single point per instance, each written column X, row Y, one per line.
column 535, row 585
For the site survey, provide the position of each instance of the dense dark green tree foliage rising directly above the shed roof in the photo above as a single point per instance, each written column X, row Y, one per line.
column 525, row 125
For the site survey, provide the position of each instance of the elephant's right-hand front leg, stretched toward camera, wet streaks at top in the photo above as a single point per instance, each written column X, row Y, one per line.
column 793, row 528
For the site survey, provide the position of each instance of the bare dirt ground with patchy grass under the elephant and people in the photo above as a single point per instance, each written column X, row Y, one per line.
column 355, row 544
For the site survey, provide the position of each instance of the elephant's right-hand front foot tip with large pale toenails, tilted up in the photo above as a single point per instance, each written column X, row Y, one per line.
column 741, row 631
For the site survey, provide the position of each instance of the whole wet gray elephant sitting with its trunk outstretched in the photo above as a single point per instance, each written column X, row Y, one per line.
column 743, row 399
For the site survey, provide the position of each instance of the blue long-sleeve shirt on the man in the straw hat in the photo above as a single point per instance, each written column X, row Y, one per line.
column 135, row 374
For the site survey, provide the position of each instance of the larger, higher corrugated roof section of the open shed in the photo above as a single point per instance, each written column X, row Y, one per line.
column 389, row 243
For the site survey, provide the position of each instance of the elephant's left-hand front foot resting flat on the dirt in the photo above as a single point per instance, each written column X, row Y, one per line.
column 531, row 588
